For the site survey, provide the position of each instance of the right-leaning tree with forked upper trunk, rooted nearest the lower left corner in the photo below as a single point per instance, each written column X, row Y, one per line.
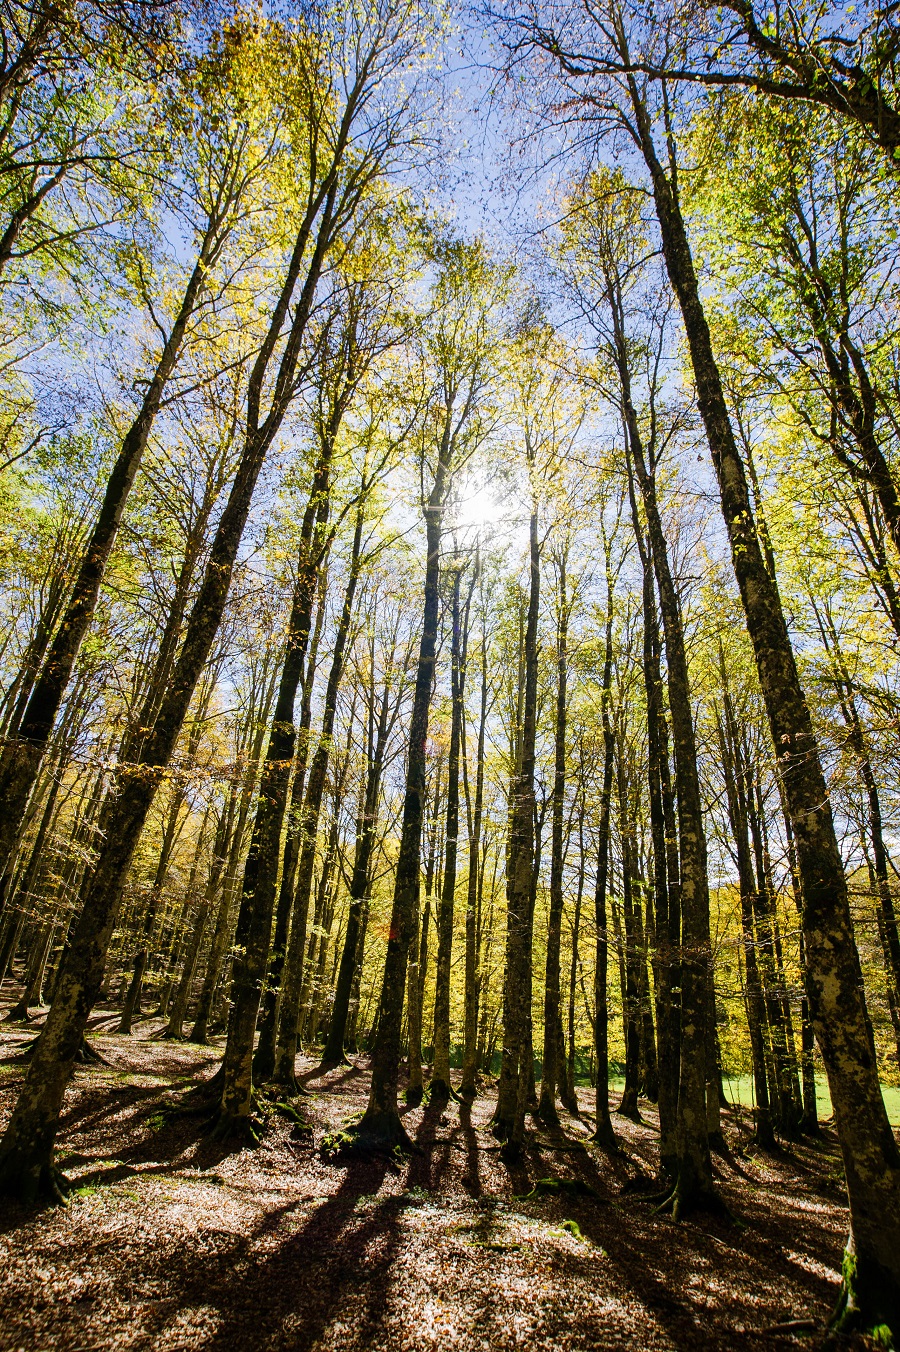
column 359, row 149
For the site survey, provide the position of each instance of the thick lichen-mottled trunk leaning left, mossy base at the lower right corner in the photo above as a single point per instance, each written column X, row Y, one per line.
column 871, row 1292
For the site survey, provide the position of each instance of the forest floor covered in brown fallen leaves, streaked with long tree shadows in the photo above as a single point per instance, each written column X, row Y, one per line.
column 172, row 1242
